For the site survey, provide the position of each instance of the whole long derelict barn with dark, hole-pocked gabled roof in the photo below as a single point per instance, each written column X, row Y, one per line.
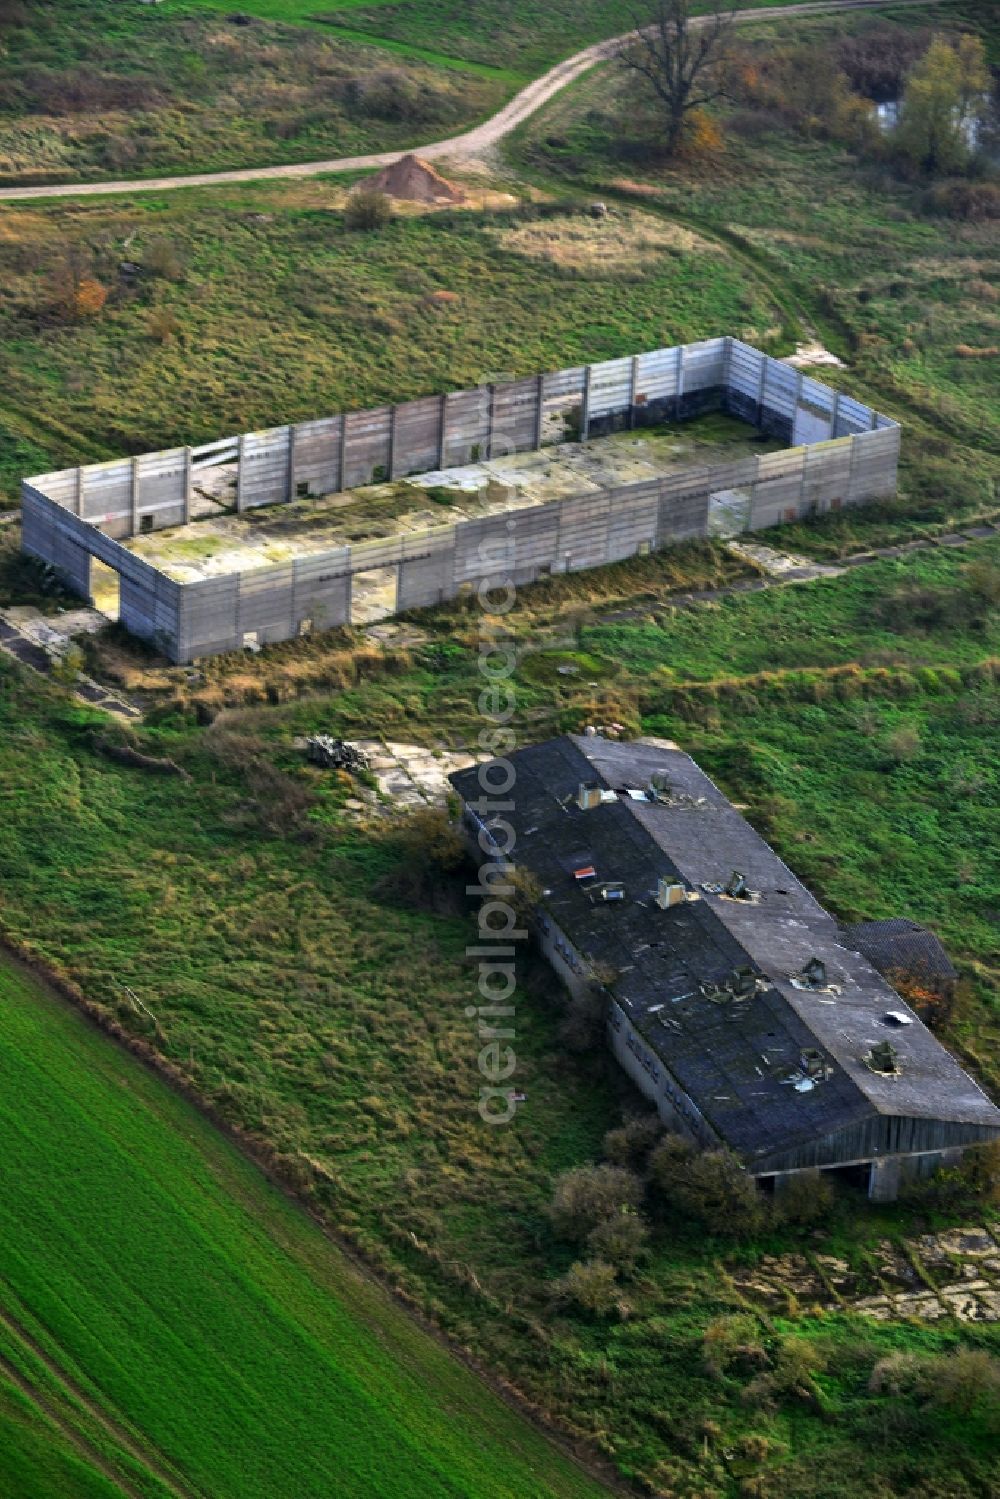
column 737, row 1005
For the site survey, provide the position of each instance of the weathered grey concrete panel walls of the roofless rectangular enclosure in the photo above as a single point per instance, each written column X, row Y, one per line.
column 845, row 455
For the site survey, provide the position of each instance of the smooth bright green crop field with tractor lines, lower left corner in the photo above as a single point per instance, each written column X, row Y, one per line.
column 172, row 1326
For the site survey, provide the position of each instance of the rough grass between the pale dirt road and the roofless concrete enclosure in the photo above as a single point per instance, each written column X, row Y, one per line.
column 265, row 310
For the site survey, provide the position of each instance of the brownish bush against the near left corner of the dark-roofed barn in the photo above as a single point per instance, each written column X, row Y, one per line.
column 710, row 1186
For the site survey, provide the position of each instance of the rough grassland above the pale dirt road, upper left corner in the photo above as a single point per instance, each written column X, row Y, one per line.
column 98, row 91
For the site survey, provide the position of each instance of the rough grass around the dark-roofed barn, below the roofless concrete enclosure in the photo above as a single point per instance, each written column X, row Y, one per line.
column 319, row 1007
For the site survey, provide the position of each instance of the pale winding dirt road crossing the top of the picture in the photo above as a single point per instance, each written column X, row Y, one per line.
column 472, row 143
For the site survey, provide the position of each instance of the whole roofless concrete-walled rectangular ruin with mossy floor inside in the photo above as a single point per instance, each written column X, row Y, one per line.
column 269, row 536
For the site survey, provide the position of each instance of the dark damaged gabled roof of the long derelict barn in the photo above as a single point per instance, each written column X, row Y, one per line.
column 740, row 1061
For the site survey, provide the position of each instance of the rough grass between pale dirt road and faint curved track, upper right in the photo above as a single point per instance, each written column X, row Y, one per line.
column 804, row 215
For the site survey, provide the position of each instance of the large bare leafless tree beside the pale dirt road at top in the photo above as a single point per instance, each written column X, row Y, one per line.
column 681, row 59
